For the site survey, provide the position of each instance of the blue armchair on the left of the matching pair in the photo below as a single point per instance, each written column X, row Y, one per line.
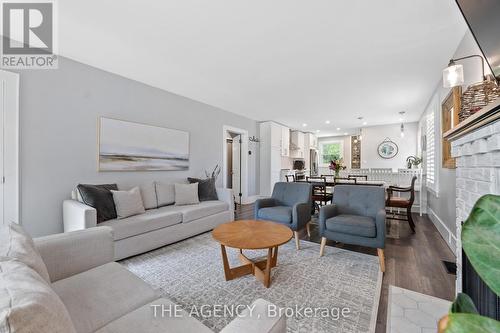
column 290, row 204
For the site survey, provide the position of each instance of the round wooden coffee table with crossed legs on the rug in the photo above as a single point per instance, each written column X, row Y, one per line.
column 252, row 235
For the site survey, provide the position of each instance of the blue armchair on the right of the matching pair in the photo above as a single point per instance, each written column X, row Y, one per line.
column 356, row 216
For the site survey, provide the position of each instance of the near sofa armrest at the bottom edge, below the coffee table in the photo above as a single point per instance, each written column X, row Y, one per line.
column 261, row 317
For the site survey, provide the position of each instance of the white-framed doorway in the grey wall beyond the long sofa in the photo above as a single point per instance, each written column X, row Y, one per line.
column 235, row 168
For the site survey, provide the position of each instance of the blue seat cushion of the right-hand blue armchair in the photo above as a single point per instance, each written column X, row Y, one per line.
column 352, row 225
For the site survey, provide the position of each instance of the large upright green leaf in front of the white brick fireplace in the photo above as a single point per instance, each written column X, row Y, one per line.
column 481, row 240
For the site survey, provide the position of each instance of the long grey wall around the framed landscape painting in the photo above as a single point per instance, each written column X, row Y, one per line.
column 58, row 127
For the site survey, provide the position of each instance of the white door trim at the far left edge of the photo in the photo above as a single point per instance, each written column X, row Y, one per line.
column 9, row 147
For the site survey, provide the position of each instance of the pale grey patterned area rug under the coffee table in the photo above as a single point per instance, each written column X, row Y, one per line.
column 190, row 274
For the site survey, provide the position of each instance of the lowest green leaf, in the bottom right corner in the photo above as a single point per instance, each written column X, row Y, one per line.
column 471, row 323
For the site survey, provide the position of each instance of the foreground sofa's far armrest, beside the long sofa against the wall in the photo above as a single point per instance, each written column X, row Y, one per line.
column 74, row 252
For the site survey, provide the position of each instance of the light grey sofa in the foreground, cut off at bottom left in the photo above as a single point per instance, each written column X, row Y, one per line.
column 68, row 283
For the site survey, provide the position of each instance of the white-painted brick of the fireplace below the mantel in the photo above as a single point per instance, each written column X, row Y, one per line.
column 478, row 173
